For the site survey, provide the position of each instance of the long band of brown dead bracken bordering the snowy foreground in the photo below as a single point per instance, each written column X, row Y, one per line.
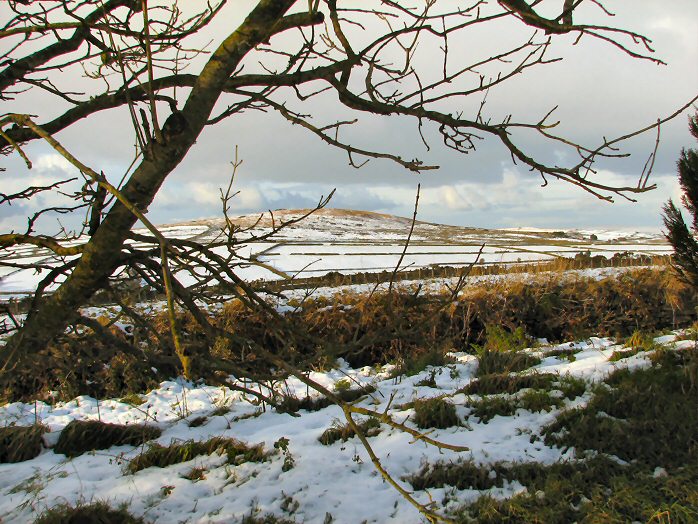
column 406, row 327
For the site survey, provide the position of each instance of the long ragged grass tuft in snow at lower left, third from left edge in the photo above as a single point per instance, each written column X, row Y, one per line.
column 162, row 456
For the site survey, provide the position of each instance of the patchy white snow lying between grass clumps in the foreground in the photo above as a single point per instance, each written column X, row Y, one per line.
column 336, row 480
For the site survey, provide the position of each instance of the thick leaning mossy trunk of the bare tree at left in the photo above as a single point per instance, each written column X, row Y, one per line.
column 102, row 253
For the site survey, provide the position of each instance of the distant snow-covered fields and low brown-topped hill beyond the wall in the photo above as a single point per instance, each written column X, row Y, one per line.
column 352, row 241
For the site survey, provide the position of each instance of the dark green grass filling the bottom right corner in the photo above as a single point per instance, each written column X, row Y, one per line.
column 597, row 490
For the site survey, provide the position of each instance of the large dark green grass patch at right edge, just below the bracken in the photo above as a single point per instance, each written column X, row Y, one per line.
column 647, row 415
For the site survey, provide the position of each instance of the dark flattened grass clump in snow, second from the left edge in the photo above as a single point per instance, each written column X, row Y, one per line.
column 81, row 436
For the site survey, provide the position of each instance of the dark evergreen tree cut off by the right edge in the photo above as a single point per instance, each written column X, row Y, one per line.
column 678, row 233
